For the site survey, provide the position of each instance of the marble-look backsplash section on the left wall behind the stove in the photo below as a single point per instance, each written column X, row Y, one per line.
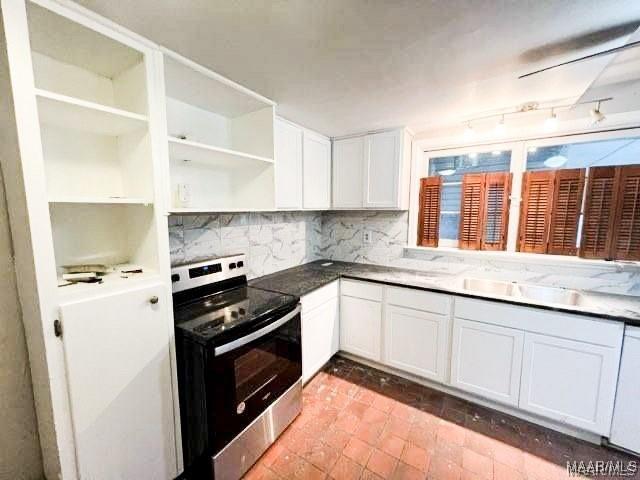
column 271, row 241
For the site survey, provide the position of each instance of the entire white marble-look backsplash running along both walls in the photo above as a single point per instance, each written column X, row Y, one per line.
column 275, row 241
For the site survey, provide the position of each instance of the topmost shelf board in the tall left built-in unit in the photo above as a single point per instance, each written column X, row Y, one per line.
column 73, row 113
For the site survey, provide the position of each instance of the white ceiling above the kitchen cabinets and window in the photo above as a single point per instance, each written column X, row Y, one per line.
column 346, row 66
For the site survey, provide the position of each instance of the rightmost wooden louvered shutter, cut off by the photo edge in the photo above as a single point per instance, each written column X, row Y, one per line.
column 626, row 234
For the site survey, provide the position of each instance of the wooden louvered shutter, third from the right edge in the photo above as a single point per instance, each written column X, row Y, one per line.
column 565, row 214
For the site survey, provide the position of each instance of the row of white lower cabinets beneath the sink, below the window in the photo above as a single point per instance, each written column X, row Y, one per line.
column 559, row 366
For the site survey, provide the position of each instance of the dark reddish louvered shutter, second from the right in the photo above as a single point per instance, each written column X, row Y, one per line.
column 599, row 212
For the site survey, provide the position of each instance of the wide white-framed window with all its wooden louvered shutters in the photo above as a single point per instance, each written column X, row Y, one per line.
column 572, row 196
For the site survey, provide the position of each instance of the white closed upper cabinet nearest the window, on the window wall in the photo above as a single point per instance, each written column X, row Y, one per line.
column 372, row 171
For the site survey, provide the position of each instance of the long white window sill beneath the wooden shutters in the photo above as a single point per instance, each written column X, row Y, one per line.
column 531, row 258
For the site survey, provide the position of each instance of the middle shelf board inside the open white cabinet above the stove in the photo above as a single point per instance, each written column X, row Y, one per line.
column 180, row 149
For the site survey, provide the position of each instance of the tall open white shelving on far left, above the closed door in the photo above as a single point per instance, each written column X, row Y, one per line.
column 91, row 94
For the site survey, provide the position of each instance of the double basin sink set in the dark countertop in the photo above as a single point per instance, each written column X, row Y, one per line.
column 516, row 291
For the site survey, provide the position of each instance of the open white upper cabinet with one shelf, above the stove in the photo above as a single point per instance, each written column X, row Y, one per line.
column 220, row 141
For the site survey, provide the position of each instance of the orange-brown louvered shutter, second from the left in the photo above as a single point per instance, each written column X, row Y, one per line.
column 471, row 211
